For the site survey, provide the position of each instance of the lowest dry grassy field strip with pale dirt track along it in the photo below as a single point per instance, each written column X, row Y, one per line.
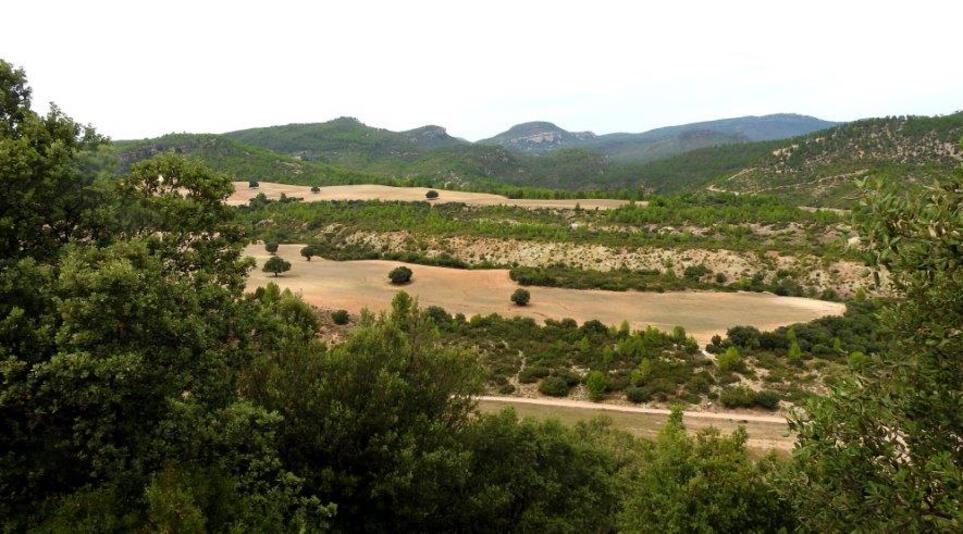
column 765, row 432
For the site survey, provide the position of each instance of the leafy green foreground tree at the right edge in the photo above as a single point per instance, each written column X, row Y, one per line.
column 884, row 451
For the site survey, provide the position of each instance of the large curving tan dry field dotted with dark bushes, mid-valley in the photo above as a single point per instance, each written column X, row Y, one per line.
column 353, row 285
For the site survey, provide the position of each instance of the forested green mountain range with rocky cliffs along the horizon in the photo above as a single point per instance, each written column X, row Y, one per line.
column 808, row 159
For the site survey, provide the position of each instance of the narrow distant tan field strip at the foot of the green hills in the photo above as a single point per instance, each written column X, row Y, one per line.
column 243, row 193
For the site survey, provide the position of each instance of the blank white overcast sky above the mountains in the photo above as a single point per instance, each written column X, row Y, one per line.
column 143, row 69
